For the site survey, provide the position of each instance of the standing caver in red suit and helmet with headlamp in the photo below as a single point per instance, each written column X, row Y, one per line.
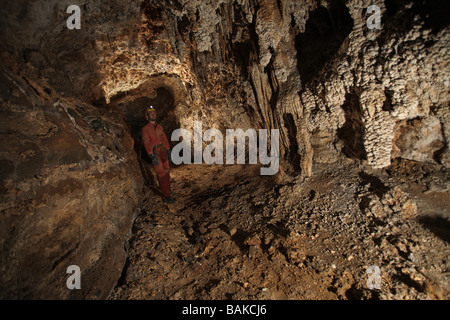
column 158, row 149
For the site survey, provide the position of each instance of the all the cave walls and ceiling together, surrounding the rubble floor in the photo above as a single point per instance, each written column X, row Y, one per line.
column 72, row 104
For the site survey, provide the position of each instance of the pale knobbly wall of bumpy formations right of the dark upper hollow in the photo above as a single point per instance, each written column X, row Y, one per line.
column 395, row 74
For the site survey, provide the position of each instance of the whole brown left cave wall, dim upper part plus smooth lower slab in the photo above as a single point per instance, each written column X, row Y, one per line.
column 71, row 185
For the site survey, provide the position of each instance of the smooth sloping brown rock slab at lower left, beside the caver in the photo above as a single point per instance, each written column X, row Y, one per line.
column 70, row 189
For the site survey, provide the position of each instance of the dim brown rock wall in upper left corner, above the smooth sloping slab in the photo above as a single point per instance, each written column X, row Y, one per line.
column 35, row 35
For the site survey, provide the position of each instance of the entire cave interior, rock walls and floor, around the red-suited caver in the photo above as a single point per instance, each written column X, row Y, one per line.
column 364, row 128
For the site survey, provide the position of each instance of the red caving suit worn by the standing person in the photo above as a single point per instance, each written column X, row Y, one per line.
column 155, row 142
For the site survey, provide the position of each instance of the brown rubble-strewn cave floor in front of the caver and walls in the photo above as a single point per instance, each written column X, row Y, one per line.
column 233, row 234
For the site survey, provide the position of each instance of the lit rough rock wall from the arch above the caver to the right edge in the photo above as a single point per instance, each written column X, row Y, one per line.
column 294, row 65
